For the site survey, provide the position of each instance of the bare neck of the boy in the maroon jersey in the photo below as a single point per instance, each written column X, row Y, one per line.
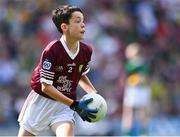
column 71, row 44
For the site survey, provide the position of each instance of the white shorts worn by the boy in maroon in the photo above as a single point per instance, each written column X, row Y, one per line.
column 40, row 113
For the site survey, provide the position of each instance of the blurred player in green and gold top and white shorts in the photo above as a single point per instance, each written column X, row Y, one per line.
column 137, row 96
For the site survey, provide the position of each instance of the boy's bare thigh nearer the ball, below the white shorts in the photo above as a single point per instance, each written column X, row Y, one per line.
column 63, row 129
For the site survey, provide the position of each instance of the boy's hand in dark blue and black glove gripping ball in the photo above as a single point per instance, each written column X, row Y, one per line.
column 81, row 108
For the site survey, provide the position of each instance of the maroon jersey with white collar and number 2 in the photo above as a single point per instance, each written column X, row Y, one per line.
column 60, row 68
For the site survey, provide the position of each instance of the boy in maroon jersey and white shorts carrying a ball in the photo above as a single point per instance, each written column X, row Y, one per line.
column 62, row 66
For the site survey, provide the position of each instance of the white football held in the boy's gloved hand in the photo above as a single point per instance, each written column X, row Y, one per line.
column 98, row 103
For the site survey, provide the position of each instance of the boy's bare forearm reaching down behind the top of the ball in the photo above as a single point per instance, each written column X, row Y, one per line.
column 86, row 84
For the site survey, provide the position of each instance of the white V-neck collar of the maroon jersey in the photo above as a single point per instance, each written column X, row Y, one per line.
column 71, row 55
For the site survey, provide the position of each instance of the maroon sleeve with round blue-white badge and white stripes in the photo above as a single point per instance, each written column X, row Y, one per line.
column 47, row 65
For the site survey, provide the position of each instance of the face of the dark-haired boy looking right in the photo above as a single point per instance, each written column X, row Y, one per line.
column 76, row 26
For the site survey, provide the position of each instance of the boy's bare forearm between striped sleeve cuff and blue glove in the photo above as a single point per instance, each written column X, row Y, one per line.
column 55, row 94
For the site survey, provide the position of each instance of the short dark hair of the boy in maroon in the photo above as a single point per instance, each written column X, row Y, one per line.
column 62, row 14
